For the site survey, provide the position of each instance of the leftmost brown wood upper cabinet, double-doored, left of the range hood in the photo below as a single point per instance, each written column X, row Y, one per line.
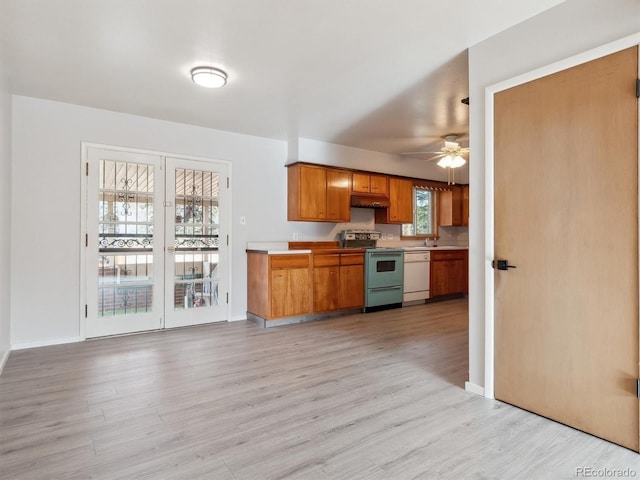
column 318, row 194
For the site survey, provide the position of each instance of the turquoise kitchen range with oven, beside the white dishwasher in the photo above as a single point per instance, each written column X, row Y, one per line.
column 383, row 270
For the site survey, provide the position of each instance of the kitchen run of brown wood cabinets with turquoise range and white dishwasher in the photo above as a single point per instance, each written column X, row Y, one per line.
column 365, row 269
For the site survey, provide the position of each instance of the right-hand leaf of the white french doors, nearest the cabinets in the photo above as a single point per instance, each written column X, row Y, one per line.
column 195, row 291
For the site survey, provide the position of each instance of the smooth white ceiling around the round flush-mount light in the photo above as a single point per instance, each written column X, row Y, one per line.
column 382, row 75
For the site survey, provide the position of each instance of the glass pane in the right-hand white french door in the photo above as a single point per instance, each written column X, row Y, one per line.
column 196, row 239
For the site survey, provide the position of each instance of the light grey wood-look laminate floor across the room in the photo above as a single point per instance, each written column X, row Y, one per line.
column 368, row 396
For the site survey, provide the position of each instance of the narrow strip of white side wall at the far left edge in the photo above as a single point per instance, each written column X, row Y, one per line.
column 5, row 216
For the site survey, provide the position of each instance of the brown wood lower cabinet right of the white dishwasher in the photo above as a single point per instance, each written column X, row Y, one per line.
column 449, row 272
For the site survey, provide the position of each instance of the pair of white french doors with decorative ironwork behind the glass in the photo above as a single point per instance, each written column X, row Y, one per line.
column 156, row 242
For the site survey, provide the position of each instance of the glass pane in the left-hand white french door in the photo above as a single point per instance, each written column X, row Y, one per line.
column 125, row 252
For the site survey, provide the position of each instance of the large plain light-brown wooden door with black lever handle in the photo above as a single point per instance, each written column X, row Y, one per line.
column 566, row 215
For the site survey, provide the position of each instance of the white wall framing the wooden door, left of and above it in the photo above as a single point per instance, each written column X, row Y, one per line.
column 571, row 28
